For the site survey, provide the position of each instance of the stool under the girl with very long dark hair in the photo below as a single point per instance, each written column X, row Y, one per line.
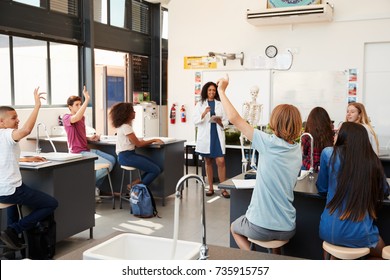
column 344, row 253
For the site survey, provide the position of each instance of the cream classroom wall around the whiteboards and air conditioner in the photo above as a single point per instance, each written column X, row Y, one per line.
column 197, row 27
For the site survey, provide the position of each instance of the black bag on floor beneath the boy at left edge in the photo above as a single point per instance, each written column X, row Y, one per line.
column 42, row 239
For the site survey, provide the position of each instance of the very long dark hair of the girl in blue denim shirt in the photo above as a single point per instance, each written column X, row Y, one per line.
column 361, row 177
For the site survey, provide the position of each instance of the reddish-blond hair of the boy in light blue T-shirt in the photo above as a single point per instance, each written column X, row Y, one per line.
column 286, row 122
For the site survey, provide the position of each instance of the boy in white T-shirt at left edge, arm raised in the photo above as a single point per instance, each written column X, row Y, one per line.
column 12, row 189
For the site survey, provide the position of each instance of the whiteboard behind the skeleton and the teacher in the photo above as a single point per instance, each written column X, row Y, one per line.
column 240, row 83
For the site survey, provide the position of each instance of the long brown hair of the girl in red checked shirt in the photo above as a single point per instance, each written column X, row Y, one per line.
column 319, row 126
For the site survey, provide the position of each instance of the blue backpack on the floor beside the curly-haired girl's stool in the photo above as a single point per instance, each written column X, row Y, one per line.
column 142, row 203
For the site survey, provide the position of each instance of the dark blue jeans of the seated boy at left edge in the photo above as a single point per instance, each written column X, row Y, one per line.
column 40, row 203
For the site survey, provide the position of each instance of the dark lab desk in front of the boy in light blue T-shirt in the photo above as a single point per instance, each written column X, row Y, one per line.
column 309, row 207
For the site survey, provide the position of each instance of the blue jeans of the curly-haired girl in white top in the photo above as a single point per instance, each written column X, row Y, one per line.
column 151, row 169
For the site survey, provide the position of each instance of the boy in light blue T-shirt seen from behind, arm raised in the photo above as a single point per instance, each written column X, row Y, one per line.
column 271, row 214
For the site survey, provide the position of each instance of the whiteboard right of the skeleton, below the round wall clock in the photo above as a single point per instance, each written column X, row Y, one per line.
column 306, row 90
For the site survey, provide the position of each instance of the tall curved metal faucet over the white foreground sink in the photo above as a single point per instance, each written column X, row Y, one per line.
column 204, row 250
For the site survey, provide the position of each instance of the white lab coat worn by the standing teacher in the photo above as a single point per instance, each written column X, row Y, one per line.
column 203, row 134
